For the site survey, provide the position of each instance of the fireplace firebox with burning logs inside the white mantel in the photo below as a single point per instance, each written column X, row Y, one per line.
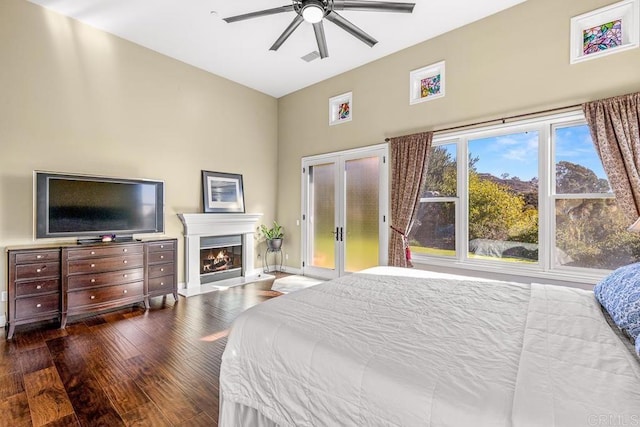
column 220, row 258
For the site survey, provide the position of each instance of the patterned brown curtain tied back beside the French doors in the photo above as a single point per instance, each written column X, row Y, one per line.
column 408, row 161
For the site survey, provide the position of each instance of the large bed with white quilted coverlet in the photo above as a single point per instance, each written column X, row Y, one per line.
column 405, row 347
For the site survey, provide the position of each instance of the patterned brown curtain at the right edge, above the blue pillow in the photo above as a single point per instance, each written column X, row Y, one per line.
column 615, row 129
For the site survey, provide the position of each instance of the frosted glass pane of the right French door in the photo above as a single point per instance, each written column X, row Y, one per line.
column 362, row 213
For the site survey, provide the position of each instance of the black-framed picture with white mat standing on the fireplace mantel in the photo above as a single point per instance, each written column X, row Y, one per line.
column 222, row 192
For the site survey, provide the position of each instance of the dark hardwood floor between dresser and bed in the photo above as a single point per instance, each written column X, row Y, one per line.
column 128, row 367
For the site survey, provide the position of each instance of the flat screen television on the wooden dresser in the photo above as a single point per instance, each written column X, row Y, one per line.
column 94, row 208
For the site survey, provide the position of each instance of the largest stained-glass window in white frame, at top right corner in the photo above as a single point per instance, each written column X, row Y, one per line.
column 604, row 31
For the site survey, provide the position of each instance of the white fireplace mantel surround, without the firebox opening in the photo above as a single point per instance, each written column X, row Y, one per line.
column 213, row 224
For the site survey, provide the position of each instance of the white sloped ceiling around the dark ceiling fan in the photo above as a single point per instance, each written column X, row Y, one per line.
column 193, row 32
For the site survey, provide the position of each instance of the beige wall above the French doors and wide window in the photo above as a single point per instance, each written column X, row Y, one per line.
column 513, row 62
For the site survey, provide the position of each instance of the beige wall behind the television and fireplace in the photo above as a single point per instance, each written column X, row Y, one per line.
column 75, row 99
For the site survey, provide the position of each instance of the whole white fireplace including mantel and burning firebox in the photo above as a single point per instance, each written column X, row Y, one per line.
column 219, row 251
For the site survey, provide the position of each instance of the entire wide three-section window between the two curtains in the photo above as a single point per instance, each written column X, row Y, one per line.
column 531, row 196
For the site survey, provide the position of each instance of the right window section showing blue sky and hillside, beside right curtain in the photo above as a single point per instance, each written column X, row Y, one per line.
column 590, row 230
